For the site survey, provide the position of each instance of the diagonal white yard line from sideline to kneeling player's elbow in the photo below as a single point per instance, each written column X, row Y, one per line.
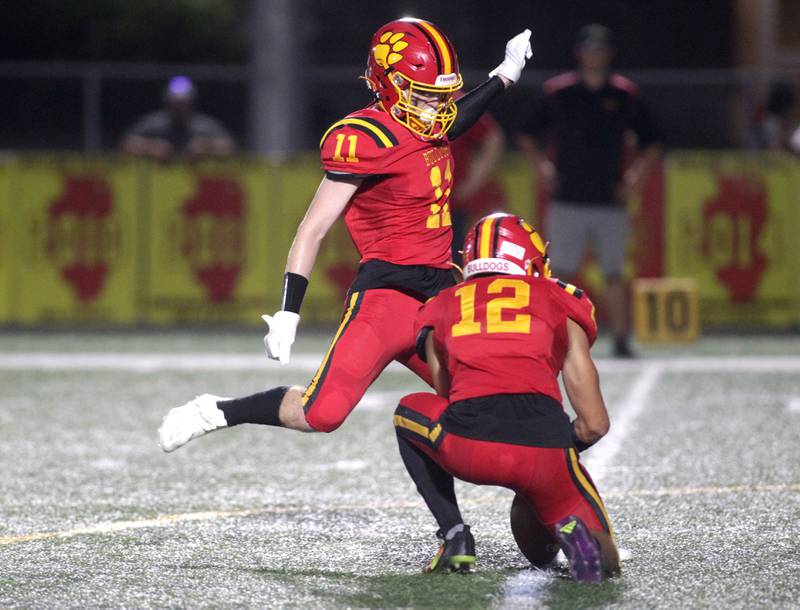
column 622, row 419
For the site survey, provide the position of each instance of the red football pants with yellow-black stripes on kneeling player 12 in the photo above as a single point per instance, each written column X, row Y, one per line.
column 552, row 480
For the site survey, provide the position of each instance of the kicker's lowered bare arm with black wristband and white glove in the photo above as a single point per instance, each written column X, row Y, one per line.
column 329, row 201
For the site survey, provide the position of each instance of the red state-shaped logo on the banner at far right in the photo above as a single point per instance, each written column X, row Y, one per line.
column 732, row 225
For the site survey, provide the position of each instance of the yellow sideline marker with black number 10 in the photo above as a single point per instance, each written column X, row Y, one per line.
column 666, row 310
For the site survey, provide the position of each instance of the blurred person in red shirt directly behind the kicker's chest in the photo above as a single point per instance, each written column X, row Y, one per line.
column 475, row 156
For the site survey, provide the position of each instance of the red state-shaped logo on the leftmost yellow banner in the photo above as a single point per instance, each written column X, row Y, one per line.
column 79, row 237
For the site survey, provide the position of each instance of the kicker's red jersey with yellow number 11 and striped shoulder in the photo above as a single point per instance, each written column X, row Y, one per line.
column 400, row 214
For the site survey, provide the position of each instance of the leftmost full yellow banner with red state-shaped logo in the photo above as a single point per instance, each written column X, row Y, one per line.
column 76, row 240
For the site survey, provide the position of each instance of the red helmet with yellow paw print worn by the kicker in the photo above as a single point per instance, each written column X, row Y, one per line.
column 413, row 70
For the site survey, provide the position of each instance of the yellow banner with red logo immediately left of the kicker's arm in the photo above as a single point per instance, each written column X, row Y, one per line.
column 211, row 243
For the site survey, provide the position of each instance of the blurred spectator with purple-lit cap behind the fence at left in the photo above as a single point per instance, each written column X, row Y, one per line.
column 177, row 130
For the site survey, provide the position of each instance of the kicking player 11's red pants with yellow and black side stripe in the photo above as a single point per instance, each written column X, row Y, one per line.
column 377, row 327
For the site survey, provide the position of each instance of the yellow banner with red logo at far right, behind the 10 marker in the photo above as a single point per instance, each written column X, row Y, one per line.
column 732, row 220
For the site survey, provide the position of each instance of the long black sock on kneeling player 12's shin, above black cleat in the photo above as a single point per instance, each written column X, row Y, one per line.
column 434, row 484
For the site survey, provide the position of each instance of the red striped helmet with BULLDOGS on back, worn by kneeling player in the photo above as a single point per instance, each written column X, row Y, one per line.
column 504, row 243
